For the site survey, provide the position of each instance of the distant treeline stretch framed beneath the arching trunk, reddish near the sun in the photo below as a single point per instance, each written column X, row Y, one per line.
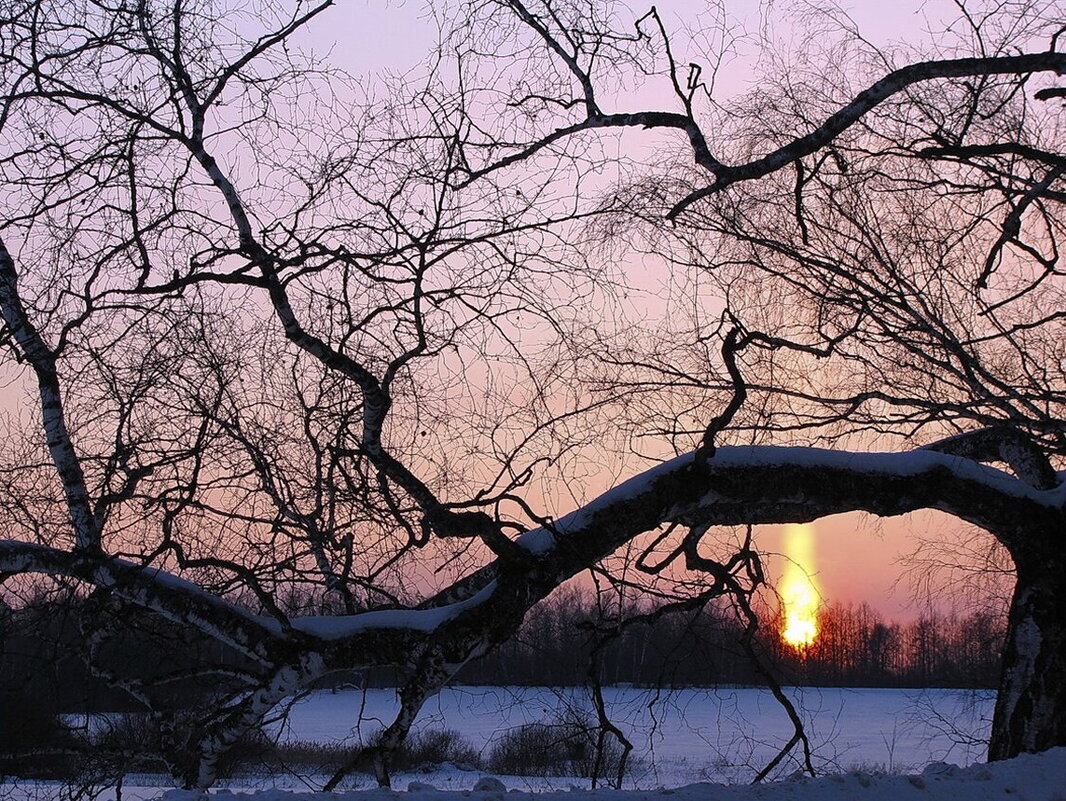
column 855, row 648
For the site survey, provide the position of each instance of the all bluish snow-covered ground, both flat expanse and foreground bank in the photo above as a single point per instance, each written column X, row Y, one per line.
column 873, row 746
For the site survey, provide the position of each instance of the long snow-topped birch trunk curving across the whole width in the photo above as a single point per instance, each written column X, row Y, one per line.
column 751, row 485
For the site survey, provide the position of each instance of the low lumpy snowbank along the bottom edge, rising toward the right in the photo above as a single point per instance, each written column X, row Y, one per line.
column 1028, row 778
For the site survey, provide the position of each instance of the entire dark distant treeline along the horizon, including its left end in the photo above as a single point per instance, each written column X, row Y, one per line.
column 43, row 652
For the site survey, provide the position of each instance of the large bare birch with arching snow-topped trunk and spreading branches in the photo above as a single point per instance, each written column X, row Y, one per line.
column 285, row 334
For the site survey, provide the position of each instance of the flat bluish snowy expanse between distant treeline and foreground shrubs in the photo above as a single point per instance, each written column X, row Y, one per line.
column 687, row 735
